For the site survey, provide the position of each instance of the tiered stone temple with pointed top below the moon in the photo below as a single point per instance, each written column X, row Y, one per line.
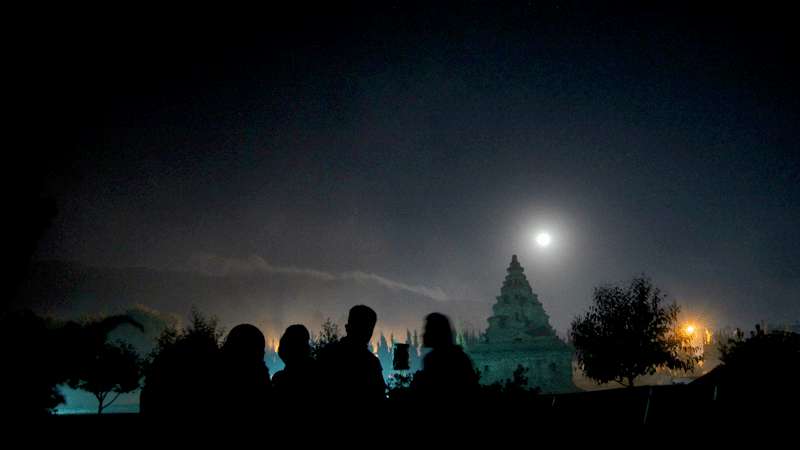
column 519, row 333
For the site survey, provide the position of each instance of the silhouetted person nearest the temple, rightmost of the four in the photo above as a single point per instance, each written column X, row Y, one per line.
column 447, row 373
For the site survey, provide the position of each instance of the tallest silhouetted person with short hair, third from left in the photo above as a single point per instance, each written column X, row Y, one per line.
column 352, row 375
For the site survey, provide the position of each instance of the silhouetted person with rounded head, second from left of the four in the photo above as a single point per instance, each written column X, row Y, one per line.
column 297, row 384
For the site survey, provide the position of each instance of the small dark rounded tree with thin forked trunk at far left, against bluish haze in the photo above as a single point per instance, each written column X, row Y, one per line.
column 115, row 369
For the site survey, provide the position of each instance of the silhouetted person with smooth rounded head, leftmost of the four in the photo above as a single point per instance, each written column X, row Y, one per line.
column 243, row 385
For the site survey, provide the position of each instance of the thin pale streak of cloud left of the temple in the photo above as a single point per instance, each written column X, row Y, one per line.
column 222, row 266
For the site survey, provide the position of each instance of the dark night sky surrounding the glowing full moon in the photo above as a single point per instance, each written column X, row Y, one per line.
column 425, row 145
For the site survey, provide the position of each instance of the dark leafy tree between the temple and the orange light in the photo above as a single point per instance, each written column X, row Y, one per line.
column 629, row 332
